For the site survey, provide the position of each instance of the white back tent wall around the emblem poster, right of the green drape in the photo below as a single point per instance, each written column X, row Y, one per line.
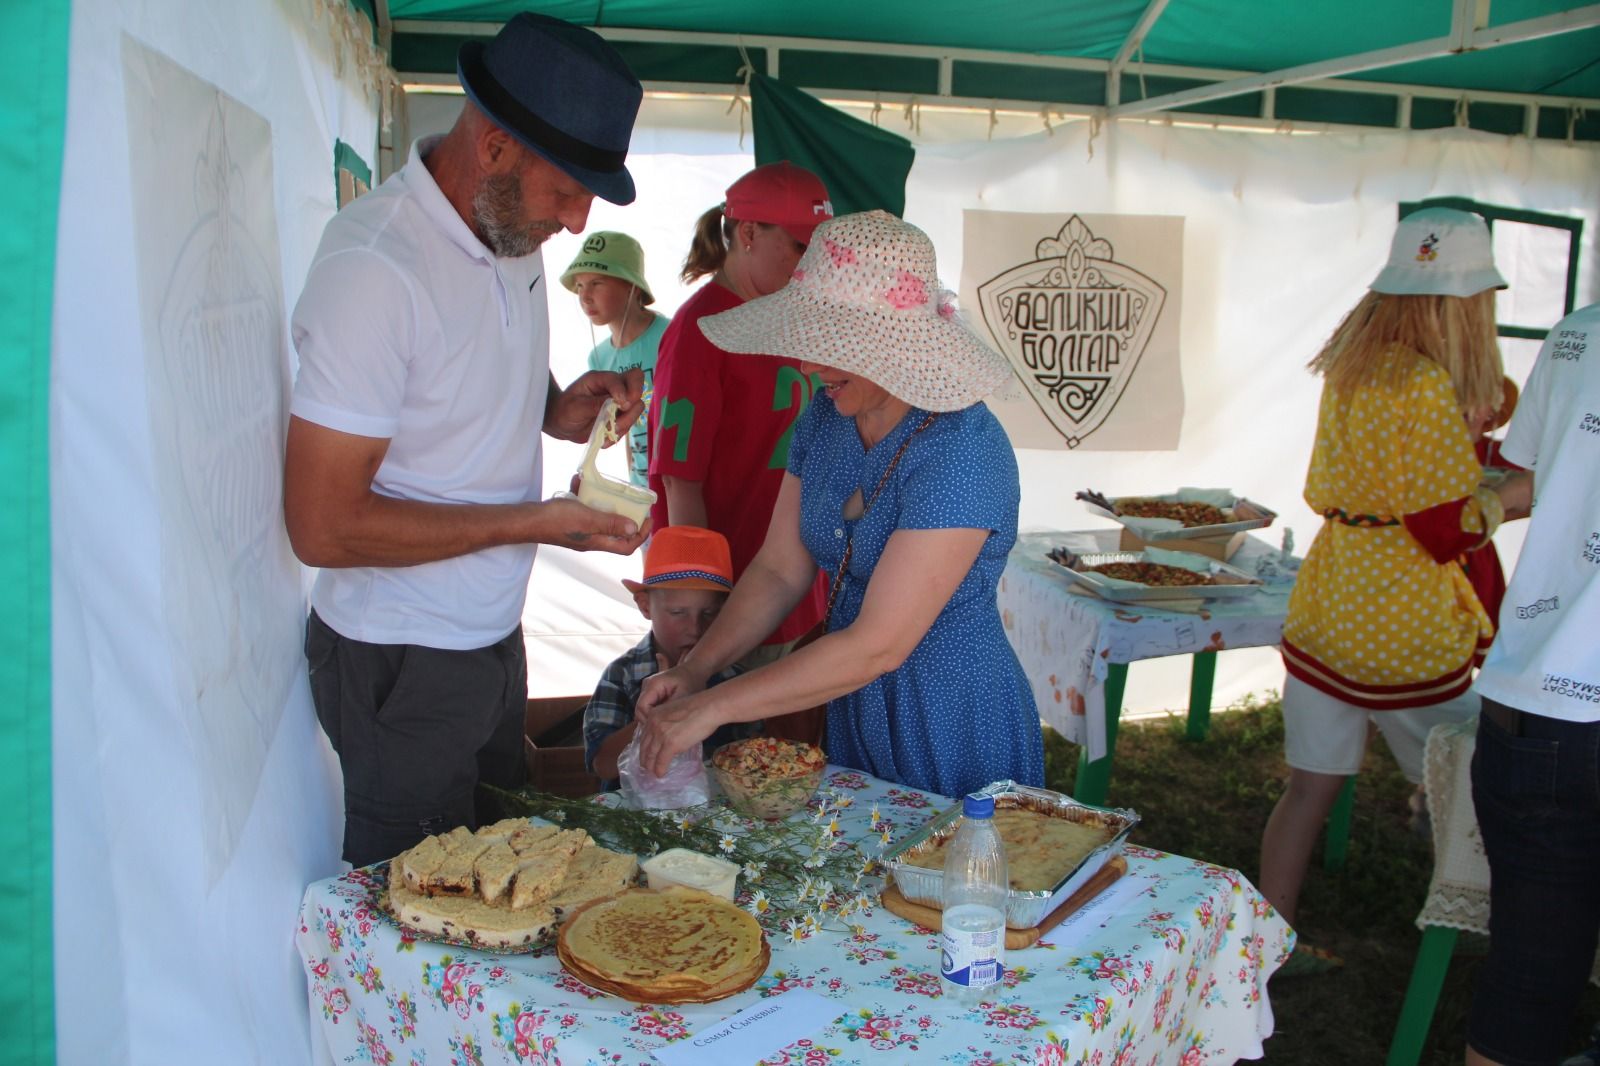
column 1282, row 233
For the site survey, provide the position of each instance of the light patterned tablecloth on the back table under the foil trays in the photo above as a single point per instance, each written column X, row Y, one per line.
column 1066, row 641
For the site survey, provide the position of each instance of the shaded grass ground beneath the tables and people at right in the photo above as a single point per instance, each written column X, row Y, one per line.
column 1212, row 799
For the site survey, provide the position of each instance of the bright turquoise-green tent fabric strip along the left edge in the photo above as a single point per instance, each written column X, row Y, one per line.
column 33, row 132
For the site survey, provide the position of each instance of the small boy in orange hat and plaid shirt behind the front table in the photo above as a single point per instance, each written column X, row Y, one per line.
column 689, row 574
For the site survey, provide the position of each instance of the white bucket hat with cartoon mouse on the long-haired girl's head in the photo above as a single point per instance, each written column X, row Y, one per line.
column 1441, row 252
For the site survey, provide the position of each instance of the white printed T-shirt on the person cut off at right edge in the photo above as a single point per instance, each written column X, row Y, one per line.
column 1546, row 657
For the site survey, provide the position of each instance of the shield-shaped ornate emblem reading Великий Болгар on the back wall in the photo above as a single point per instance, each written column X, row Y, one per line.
column 1074, row 324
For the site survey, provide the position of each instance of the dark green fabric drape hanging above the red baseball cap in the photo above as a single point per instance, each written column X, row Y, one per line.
column 862, row 166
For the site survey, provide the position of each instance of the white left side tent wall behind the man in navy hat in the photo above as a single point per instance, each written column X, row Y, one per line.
column 188, row 817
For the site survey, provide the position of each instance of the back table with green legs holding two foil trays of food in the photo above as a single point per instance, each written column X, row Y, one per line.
column 1182, row 574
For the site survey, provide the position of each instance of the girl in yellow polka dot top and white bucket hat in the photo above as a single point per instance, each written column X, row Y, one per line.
column 1383, row 619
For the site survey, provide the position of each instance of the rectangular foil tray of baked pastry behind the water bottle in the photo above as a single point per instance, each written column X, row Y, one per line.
column 1054, row 843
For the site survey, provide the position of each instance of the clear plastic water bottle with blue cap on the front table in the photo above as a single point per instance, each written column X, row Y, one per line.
column 975, row 897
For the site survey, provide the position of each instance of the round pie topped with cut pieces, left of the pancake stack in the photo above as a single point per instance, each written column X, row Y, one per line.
column 503, row 886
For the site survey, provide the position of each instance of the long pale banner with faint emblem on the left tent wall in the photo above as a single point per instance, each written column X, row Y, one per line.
column 217, row 385
